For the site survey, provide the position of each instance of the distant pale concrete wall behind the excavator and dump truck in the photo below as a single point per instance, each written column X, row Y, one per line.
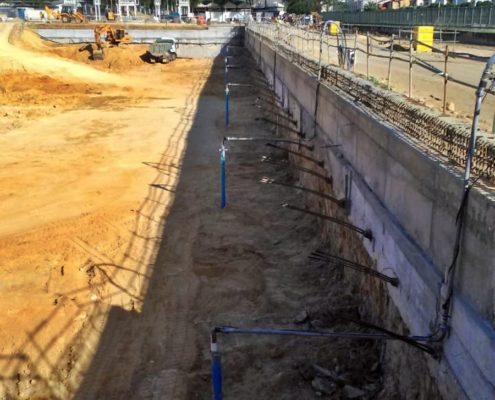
column 196, row 43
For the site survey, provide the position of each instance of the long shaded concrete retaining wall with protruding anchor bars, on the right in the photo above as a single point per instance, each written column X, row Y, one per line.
column 409, row 199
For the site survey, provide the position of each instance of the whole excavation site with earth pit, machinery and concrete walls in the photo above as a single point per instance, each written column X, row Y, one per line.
column 217, row 212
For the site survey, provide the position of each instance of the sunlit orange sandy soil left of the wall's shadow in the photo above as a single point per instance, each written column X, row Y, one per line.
column 81, row 151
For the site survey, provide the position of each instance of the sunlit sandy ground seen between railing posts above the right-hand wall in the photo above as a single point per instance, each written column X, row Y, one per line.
column 427, row 86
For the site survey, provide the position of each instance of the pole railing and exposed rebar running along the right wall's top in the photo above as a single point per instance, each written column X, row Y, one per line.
column 317, row 54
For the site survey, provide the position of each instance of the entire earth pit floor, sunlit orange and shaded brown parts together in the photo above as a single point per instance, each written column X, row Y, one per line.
column 116, row 259
